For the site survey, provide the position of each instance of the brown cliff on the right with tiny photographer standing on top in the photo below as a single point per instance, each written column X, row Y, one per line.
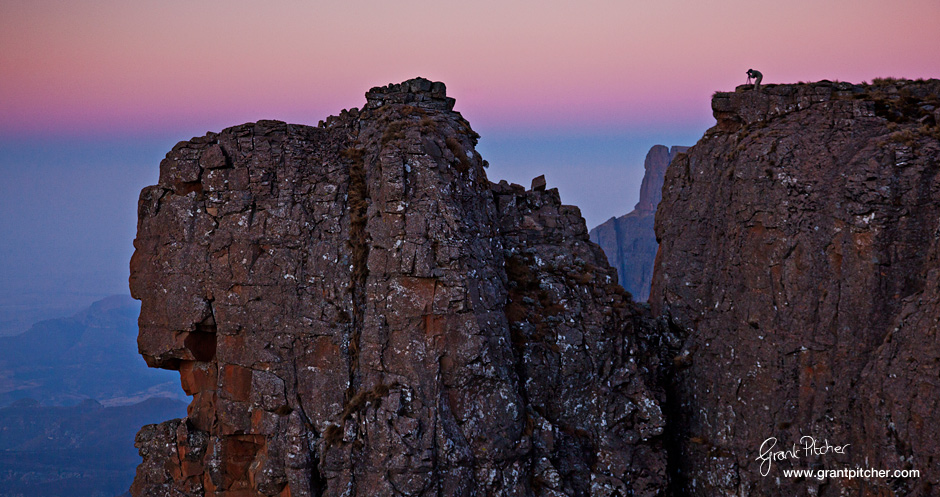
column 799, row 254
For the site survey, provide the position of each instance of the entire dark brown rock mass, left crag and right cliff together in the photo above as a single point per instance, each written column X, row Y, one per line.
column 356, row 310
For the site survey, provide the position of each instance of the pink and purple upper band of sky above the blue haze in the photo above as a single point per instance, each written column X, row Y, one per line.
column 138, row 67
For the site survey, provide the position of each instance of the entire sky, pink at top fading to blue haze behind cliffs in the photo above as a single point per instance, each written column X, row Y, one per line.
column 93, row 92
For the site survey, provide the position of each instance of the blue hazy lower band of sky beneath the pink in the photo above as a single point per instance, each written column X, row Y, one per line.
column 68, row 206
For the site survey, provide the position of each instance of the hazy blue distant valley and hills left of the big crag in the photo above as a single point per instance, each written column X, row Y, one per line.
column 73, row 392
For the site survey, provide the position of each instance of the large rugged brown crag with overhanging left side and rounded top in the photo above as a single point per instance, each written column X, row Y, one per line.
column 356, row 310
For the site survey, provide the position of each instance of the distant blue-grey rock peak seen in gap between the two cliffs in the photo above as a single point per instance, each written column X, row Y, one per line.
column 629, row 241
